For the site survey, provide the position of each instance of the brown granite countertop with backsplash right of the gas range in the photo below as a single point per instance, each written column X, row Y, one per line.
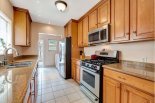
column 141, row 70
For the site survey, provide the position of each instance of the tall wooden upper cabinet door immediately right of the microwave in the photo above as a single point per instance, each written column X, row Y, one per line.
column 120, row 20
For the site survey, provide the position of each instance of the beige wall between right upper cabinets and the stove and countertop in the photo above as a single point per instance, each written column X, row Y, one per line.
column 129, row 51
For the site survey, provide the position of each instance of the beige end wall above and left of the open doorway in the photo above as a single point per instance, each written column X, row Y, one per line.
column 37, row 28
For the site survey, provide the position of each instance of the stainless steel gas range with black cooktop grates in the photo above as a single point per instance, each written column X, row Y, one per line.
column 92, row 74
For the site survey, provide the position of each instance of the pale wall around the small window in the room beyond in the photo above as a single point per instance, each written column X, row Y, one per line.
column 49, row 57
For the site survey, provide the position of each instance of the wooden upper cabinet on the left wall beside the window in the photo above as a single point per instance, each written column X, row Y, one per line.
column 22, row 27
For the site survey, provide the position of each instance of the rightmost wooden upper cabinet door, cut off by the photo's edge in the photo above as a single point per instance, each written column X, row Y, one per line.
column 143, row 19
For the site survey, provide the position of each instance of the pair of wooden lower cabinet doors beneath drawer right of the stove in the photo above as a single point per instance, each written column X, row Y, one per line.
column 116, row 92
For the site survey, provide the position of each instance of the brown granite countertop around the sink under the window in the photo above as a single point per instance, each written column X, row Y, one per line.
column 14, row 82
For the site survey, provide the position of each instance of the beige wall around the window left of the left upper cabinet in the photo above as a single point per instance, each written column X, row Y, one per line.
column 7, row 9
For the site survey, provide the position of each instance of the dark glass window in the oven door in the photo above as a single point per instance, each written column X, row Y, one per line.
column 89, row 78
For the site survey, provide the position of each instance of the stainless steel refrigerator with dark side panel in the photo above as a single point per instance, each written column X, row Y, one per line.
column 65, row 58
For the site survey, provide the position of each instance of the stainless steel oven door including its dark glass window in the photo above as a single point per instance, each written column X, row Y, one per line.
column 90, row 79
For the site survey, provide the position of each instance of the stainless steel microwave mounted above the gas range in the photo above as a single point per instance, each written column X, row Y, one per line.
column 99, row 35
